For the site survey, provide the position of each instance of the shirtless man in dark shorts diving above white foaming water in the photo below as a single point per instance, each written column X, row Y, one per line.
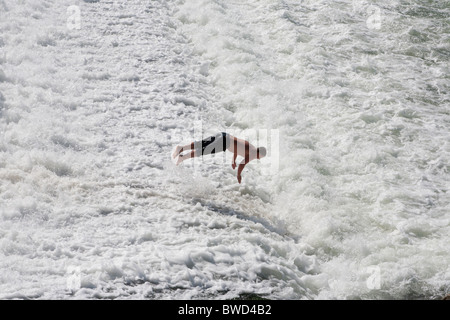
column 220, row 143
